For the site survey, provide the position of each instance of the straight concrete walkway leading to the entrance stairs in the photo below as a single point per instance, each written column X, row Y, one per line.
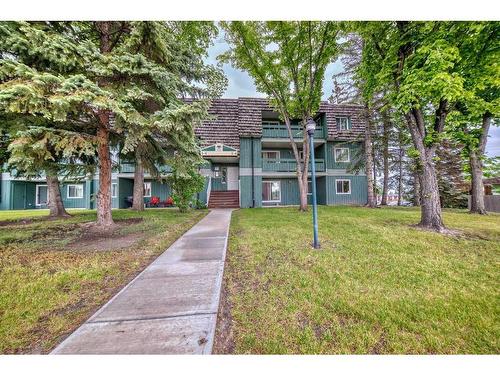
column 169, row 308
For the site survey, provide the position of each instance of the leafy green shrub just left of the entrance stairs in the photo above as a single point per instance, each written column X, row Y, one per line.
column 185, row 182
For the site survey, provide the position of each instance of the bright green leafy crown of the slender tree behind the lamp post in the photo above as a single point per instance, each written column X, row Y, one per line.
column 287, row 60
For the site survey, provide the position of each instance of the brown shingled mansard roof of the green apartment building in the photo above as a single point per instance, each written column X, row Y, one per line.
column 242, row 117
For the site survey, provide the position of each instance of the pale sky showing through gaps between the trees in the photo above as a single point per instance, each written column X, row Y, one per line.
column 241, row 84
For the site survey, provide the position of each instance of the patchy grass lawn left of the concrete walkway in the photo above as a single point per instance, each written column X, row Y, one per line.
column 53, row 276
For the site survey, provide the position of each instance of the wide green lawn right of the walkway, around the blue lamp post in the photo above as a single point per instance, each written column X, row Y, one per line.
column 378, row 285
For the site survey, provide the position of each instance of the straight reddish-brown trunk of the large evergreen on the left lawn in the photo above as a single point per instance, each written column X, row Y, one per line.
column 104, row 218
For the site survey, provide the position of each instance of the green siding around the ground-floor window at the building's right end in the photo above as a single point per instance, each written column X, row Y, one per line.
column 359, row 193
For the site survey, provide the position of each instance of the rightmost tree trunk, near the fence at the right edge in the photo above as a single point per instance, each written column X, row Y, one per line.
column 476, row 168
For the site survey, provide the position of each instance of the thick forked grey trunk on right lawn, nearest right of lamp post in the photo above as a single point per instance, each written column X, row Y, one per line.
column 430, row 208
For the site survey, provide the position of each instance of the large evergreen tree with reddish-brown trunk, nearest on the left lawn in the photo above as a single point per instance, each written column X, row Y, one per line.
column 108, row 79
